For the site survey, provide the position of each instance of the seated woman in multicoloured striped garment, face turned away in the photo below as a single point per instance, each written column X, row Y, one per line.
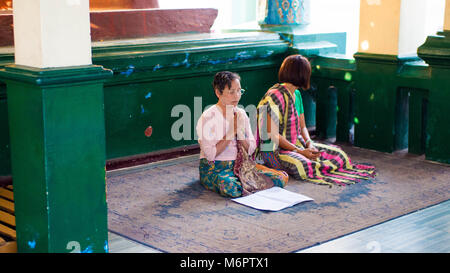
column 283, row 139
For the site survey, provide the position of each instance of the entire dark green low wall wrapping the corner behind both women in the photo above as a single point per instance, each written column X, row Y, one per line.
column 370, row 92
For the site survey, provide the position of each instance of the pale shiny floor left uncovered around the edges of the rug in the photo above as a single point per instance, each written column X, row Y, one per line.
column 426, row 230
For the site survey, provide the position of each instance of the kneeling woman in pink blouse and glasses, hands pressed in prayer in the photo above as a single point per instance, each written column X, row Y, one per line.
column 225, row 135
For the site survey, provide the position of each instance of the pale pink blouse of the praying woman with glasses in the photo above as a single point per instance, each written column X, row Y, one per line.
column 212, row 127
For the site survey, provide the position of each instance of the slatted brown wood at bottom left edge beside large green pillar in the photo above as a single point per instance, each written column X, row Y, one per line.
column 8, row 240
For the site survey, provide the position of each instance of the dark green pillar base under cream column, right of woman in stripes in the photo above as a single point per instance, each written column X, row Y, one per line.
column 375, row 101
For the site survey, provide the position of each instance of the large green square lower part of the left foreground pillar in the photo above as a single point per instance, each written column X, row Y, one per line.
column 57, row 133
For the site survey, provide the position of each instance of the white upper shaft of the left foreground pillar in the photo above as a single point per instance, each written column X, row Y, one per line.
column 49, row 33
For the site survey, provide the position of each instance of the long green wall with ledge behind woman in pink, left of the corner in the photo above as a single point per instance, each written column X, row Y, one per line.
column 152, row 76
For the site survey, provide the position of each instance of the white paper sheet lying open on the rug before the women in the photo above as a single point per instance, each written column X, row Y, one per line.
column 273, row 199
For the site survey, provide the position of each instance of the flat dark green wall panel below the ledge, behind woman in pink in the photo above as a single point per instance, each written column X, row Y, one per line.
column 163, row 105
